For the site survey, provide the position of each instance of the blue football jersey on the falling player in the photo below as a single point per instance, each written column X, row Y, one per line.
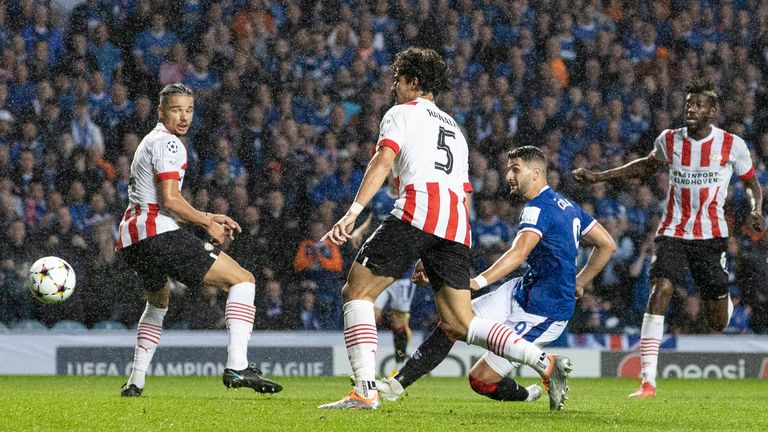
column 549, row 285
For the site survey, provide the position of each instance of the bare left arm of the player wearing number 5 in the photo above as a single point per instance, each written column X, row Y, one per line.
column 377, row 171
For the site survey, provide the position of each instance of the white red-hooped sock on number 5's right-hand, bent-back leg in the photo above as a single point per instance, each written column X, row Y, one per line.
column 503, row 341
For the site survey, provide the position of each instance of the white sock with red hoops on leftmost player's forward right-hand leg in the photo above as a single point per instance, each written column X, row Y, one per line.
column 239, row 315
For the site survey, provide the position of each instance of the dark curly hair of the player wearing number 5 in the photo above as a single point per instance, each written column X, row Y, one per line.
column 424, row 64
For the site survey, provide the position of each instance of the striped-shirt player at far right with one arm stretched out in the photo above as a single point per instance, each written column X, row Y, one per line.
column 692, row 235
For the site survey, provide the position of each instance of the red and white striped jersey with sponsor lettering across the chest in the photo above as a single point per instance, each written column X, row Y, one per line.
column 699, row 173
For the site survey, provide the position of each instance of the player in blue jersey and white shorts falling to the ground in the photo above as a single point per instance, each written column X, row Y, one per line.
column 539, row 304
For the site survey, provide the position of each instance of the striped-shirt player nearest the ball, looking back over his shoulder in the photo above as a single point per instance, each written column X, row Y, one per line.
column 158, row 252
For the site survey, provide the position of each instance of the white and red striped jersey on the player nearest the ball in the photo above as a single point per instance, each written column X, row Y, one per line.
column 160, row 156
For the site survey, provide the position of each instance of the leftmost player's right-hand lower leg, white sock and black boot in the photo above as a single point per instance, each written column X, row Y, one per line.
column 239, row 314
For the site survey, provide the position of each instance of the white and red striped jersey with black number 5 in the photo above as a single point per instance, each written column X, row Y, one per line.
column 431, row 169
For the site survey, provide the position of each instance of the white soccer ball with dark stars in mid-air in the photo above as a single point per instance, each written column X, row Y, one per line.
column 51, row 280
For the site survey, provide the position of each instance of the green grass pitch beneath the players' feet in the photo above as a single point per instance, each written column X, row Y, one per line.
column 433, row 404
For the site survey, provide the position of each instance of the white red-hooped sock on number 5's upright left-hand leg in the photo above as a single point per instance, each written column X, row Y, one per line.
column 362, row 341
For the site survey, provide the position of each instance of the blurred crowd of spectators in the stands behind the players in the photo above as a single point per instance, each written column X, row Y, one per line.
column 288, row 99
